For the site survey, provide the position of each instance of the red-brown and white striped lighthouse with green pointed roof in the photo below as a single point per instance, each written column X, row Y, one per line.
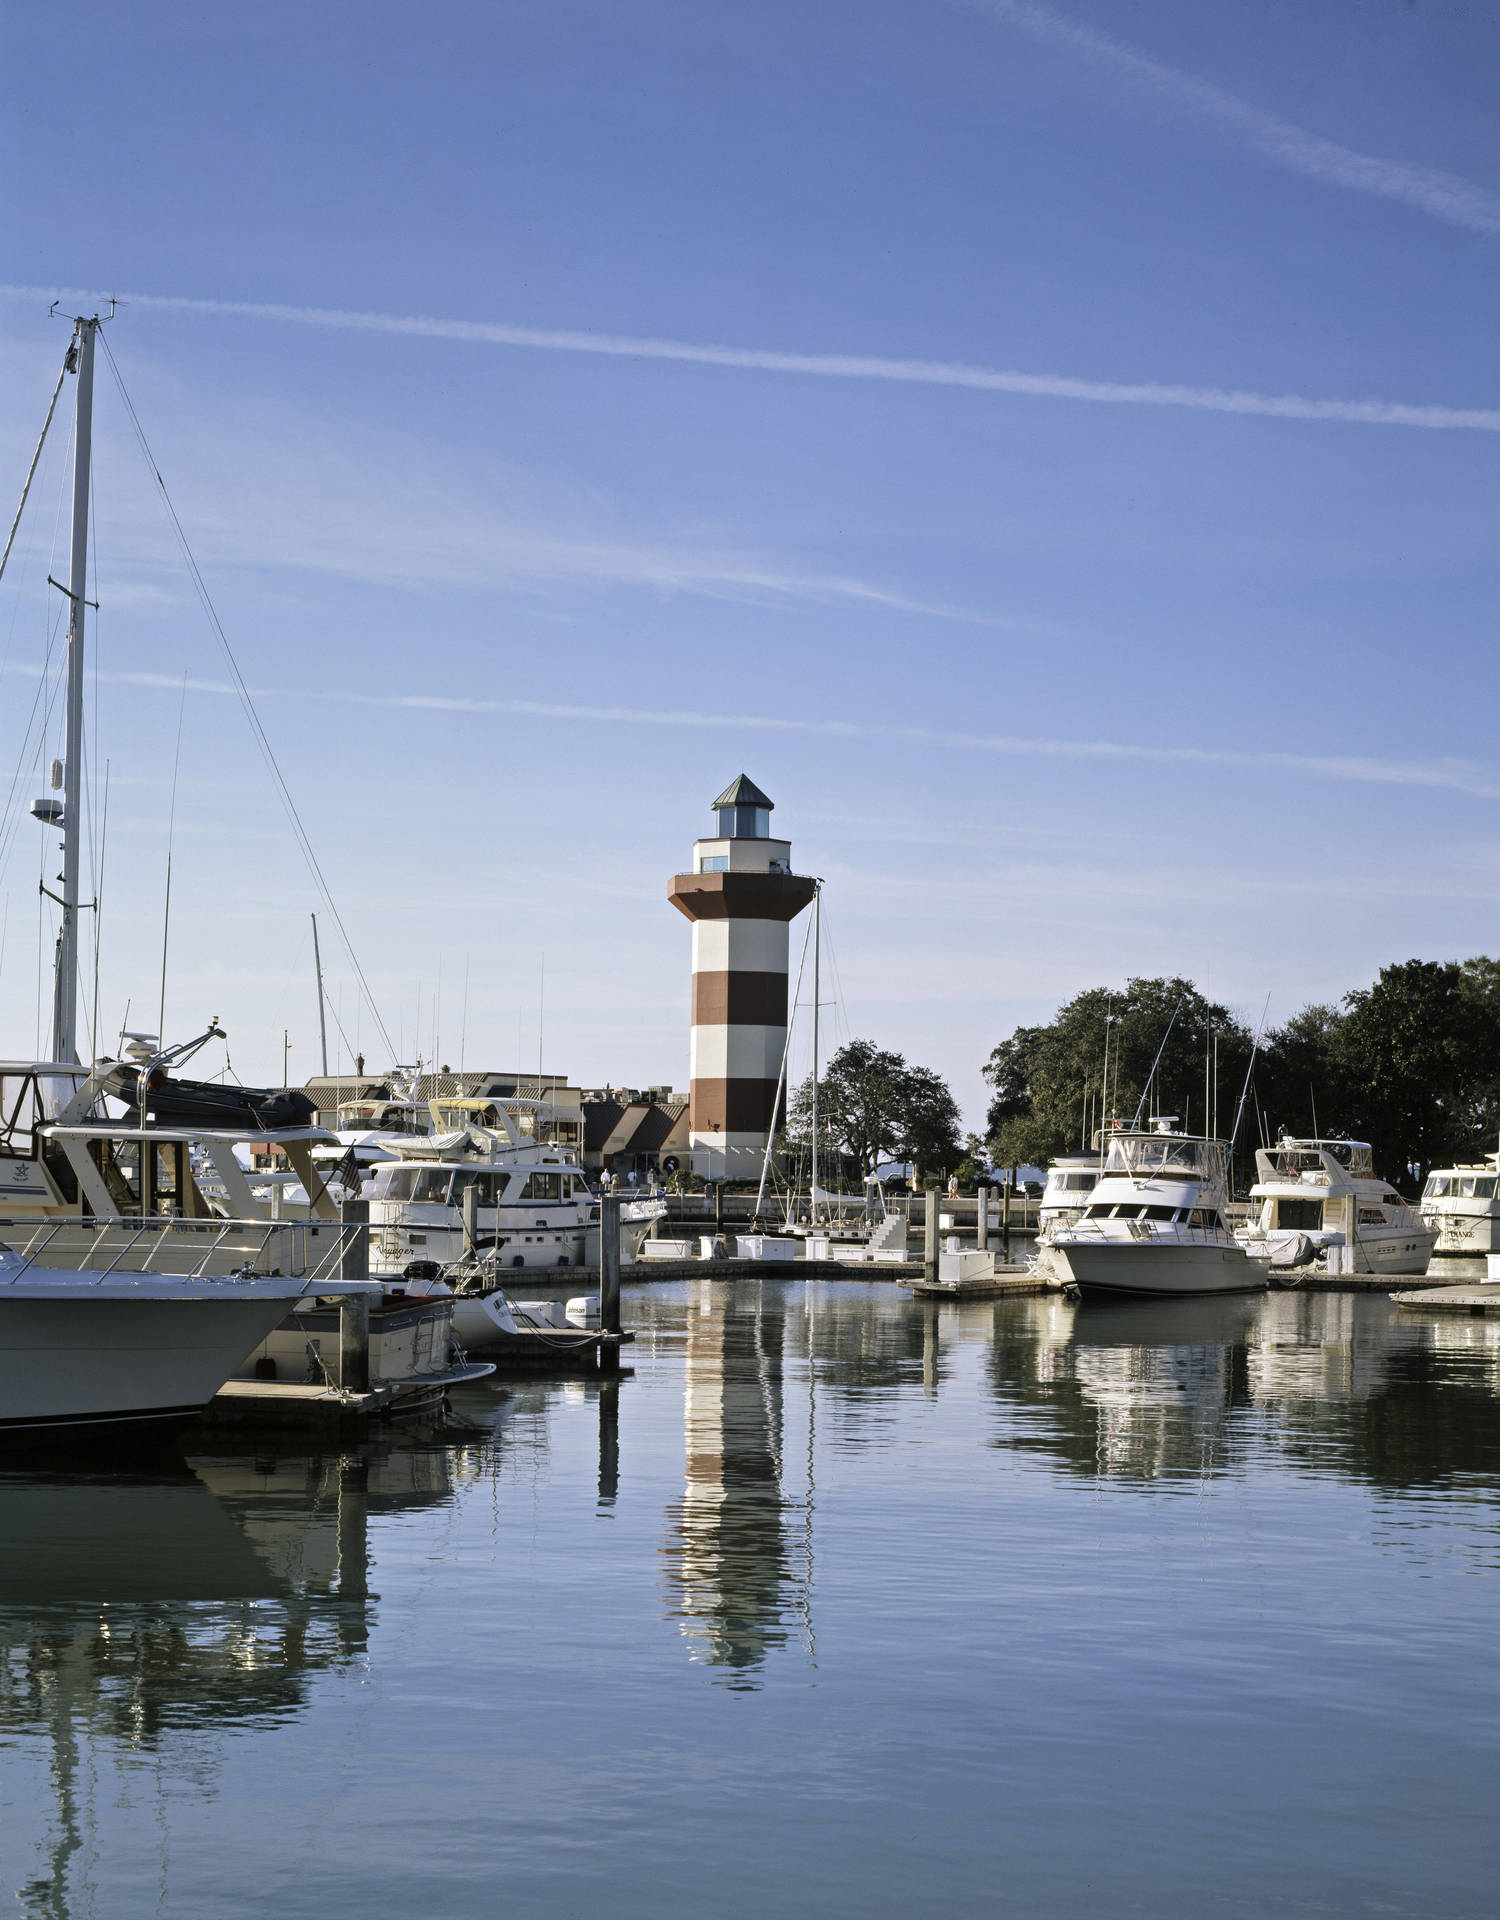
column 742, row 900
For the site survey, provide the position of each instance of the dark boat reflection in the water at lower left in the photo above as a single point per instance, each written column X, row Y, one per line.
column 139, row 1610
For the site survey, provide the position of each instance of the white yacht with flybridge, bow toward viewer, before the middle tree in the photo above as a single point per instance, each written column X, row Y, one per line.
column 1153, row 1222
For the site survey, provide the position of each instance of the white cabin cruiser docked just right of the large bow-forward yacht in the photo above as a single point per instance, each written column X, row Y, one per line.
column 1324, row 1193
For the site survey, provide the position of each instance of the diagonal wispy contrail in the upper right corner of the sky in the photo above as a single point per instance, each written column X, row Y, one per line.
column 1445, row 197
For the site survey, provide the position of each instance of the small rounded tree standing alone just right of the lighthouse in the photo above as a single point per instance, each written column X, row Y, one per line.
column 873, row 1109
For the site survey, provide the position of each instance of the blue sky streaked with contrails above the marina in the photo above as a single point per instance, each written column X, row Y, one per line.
column 1055, row 679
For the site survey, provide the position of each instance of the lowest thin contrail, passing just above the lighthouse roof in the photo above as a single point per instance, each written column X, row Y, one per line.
column 1453, row 777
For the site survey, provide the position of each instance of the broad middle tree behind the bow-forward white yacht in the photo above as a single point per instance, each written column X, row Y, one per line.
column 1050, row 1082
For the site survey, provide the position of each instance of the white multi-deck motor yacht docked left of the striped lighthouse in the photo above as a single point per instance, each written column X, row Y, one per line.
column 531, row 1201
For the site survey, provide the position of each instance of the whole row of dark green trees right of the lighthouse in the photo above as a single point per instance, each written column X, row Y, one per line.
column 1409, row 1065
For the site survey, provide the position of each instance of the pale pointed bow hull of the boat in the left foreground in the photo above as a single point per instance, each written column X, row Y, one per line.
column 93, row 1351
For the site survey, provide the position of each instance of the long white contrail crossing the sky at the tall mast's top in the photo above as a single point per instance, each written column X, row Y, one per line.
column 827, row 366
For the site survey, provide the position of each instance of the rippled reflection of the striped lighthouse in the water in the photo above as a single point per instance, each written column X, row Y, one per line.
column 729, row 1545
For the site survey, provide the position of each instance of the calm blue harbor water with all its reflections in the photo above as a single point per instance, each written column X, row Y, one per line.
column 840, row 1604
